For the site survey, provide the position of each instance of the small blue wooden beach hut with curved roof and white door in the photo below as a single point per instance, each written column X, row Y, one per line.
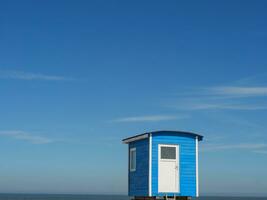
column 163, row 164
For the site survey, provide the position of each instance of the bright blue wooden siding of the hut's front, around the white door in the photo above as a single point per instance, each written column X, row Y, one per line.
column 187, row 162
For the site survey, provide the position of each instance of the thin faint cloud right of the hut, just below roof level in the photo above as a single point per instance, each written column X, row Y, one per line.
column 241, row 146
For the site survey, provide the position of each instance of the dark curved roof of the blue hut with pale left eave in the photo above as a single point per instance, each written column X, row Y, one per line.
column 145, row 135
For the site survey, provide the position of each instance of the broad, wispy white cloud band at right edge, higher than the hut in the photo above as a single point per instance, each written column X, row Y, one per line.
column 222, row 98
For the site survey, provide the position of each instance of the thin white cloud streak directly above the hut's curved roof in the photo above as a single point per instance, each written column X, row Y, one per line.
column 150, row 118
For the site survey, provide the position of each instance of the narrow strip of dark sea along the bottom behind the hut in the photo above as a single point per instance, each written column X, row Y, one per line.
column 100, row 197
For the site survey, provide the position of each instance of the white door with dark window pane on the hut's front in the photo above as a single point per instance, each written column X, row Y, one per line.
column 168, row 172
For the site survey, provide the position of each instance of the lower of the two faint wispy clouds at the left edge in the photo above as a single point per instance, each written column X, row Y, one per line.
column 24, row 136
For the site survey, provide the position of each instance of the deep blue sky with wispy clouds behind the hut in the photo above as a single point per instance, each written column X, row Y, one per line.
column 78, row 76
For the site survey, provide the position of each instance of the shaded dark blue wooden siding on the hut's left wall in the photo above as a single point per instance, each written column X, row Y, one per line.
column 138, row 179
